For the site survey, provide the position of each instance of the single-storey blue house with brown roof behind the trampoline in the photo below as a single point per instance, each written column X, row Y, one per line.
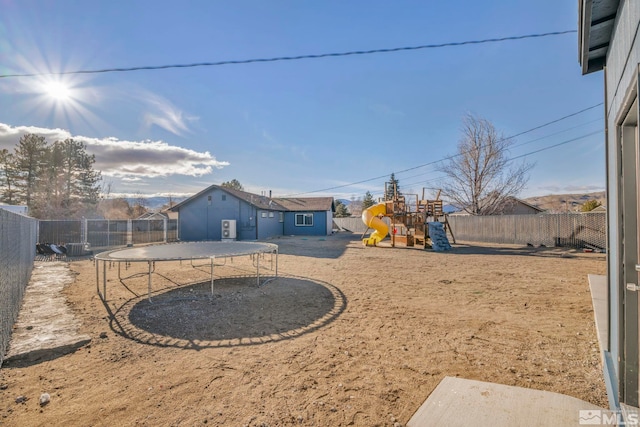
column 217, row 213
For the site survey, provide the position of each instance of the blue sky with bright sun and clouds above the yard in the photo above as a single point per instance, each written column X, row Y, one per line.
column 332, row 126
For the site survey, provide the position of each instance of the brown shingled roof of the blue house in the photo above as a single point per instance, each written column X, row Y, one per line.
column 268, row 203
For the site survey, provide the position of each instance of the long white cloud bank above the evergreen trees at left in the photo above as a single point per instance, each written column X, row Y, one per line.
column 130, row 160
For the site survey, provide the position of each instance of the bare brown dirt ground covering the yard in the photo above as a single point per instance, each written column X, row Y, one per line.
column 347, row 335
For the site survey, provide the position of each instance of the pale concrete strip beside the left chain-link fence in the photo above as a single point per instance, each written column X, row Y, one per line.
column 46, row 327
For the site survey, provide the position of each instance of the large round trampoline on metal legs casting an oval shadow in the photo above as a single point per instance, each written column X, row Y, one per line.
column 188, row 251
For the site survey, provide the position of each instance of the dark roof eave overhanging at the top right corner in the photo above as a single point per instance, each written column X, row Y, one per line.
column 596, row 21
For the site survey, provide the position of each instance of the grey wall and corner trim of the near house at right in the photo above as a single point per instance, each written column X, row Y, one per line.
column 621, row 70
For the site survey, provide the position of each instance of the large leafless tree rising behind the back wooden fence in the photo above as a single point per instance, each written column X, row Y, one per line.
column 481, row 178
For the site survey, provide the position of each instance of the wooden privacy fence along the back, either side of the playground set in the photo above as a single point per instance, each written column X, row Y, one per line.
column 575, row 230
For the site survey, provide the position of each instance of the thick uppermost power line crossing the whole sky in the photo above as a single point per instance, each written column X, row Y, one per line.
column 294, row 58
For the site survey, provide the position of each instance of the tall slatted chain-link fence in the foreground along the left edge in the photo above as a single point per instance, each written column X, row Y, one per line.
column 18, row 236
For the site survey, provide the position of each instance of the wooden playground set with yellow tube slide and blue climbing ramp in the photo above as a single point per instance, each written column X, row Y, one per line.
column 422, row 223
